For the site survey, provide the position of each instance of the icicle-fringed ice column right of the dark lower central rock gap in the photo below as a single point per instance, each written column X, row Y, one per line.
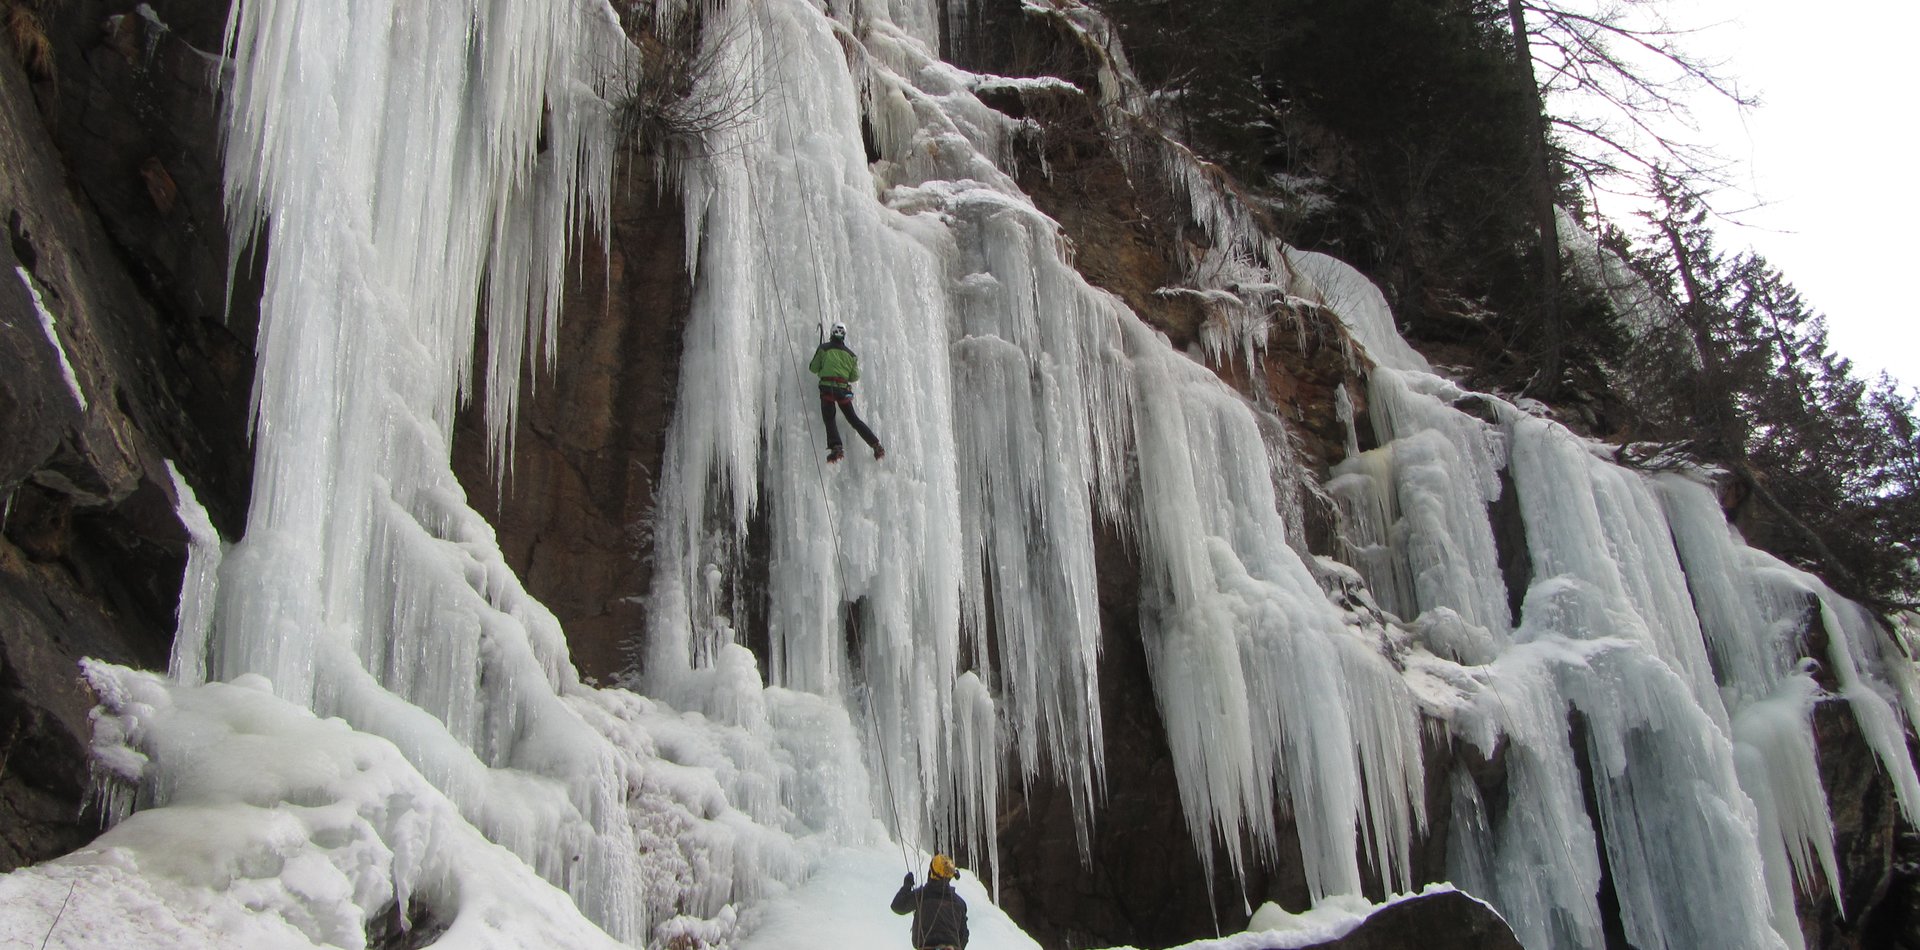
column 1241, row 638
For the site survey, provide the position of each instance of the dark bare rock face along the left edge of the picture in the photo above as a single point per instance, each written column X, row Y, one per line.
column 114, row 362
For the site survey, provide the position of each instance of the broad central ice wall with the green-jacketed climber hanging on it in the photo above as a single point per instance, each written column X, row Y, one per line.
column 955, row 582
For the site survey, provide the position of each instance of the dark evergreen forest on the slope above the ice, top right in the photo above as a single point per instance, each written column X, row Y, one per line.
column 1416, row 141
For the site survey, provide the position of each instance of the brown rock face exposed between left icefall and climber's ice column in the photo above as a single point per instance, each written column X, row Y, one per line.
column 573, row 508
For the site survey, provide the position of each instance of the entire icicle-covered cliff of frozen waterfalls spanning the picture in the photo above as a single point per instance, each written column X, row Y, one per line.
column 932, row 621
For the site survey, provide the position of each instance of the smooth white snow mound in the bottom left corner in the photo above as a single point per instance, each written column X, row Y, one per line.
column 274, row 828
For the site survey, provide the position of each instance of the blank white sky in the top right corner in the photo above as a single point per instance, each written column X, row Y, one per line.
column 1829, row 153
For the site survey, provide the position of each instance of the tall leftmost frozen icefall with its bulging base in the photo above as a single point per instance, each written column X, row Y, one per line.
column 414, row 166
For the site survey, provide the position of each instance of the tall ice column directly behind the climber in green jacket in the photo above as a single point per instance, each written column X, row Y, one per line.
column 863, row 559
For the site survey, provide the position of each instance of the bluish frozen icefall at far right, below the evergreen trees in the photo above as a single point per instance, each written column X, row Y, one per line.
column 1656, row 659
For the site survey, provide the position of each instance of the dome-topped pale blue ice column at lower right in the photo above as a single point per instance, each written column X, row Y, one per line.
column 1681, row 838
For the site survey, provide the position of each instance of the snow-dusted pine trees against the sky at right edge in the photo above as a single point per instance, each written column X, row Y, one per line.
column 1746, row 375
